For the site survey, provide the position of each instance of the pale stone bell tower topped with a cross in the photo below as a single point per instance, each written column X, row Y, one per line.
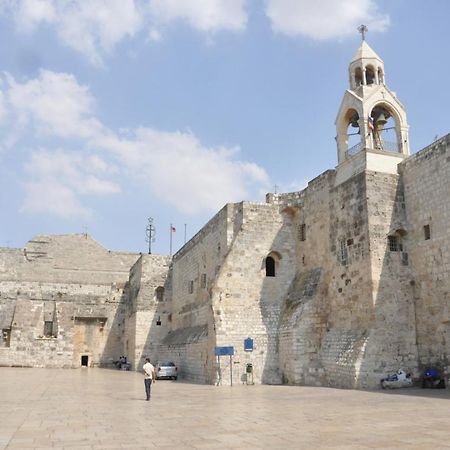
column 372, row 131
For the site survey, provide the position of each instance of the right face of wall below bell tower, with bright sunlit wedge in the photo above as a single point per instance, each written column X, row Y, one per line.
column 392, row 339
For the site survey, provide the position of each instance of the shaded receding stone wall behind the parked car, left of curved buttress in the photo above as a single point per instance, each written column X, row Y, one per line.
column 191, row 339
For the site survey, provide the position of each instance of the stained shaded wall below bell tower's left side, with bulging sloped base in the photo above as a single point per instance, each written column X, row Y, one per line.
column 327, row 312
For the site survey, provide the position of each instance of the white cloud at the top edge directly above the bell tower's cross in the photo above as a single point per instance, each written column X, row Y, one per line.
column 324, row 19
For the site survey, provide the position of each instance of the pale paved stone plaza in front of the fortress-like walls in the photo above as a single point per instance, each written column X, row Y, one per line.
column 105, row 409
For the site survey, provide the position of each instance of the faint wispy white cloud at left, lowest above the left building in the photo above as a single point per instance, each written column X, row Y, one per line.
column 57, row 181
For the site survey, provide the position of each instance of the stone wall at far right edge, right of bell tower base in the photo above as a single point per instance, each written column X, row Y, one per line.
column 426, row 177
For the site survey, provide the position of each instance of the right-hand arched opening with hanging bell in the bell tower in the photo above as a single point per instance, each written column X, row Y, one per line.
column 385, row 130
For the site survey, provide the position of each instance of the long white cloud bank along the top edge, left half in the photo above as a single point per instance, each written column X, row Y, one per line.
column 94, row 28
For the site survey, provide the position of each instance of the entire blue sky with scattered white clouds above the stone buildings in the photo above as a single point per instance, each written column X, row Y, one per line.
column 116, row 111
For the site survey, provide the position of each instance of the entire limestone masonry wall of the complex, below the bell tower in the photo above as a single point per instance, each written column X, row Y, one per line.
column 338, row 285
